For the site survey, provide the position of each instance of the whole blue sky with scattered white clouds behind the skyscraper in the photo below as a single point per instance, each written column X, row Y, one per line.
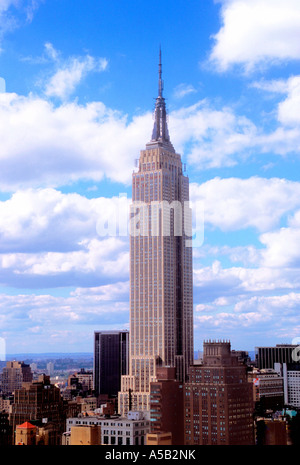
column 78, row 82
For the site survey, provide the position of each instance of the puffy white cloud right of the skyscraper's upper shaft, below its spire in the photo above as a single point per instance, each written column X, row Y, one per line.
column 260, row 203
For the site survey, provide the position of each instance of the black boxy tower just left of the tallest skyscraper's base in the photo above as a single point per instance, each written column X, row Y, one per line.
column 110, row 361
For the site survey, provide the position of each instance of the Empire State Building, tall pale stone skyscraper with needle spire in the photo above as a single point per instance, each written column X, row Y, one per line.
column 161, row 282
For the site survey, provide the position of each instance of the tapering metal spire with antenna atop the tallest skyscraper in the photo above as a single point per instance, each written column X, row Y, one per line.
column 160, row 133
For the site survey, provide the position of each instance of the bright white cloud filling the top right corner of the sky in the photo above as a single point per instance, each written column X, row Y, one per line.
column 257, row 32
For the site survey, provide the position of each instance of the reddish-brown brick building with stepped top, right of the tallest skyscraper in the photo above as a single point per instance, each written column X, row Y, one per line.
column 218, row 401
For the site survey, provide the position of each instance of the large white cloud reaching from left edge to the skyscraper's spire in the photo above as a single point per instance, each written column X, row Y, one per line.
column 44, row 145
